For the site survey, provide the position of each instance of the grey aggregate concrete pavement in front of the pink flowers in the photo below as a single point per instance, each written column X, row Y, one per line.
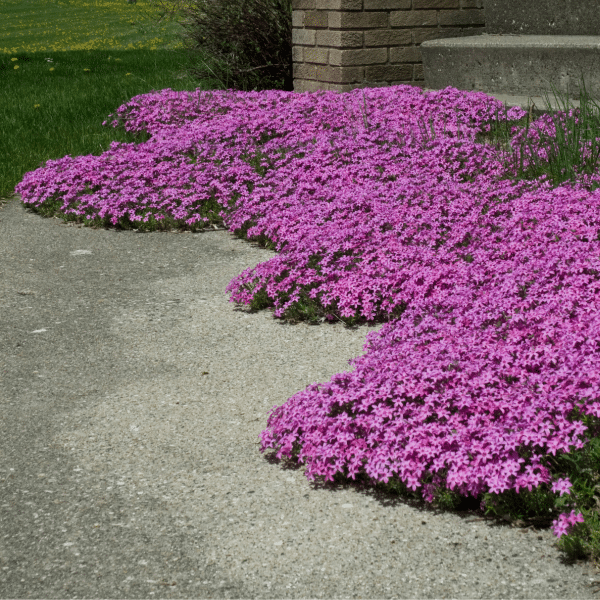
column 132, row 395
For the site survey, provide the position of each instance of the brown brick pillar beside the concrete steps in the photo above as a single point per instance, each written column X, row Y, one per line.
column 344, row 44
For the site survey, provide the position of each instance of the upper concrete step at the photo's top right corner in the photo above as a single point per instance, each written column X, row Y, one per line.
column 542, row 17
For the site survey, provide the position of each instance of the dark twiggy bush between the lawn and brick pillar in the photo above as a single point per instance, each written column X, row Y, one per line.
column 241, row 45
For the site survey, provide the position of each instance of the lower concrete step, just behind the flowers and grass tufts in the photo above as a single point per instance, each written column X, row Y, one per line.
column 518, row 65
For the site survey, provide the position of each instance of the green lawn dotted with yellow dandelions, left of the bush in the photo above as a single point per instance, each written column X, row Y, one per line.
column 53, row 102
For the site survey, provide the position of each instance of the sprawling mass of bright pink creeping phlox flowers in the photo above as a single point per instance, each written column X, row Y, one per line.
column 383, row 205
